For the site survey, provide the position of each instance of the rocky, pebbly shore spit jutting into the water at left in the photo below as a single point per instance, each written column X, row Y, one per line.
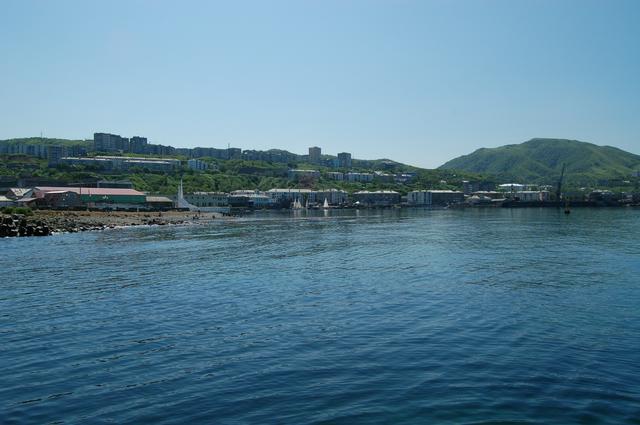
column 45, row 223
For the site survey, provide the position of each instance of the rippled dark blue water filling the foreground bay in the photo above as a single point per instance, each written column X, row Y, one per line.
column 475, row 316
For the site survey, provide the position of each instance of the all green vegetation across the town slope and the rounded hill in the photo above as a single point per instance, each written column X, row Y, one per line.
column 535, row 161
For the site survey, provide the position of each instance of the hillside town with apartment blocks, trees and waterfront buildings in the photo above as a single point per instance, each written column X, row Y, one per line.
column 111, row 172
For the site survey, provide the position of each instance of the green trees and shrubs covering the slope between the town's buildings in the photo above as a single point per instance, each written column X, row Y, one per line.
column 227, row 175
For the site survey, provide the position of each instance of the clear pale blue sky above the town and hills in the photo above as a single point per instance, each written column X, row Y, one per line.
column 419, row 81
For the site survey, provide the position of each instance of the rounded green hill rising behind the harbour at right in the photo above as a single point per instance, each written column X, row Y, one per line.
column 539, row 160
